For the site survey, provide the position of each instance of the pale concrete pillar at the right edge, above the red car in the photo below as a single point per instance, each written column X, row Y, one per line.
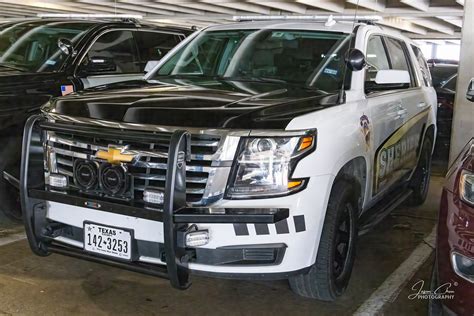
column 463, row 119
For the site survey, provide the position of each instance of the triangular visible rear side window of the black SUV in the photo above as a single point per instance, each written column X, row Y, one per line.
column 152, row 46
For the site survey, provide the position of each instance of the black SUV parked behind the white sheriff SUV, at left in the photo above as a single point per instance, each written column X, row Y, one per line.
column 45, row 58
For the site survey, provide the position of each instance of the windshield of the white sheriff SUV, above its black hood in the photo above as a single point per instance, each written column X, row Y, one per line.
column 307, row 58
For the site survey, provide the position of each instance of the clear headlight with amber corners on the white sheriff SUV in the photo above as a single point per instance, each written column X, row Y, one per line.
column 263, row 166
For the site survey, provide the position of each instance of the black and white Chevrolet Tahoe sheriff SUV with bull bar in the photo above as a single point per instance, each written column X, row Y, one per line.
column 255, row 150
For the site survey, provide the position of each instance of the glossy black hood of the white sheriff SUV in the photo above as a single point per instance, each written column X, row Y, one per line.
column 205, row 104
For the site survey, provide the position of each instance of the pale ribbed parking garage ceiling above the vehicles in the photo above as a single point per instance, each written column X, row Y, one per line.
column 418, row 18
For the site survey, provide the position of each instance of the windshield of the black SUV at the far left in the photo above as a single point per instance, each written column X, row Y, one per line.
column 33, row 46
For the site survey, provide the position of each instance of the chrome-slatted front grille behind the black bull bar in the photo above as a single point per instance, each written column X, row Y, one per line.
column 149, row 171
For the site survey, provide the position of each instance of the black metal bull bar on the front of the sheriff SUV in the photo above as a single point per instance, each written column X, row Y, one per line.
column 176, row 215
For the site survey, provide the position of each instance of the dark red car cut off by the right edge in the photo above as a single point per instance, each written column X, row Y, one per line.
column 454, row 266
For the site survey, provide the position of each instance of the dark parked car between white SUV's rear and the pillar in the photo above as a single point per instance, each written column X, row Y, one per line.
column 444, row 78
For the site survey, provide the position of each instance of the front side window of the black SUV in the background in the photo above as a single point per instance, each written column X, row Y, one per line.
column 114, row 52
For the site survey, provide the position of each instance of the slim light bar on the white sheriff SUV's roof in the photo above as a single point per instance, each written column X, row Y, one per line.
column 322, row 18
